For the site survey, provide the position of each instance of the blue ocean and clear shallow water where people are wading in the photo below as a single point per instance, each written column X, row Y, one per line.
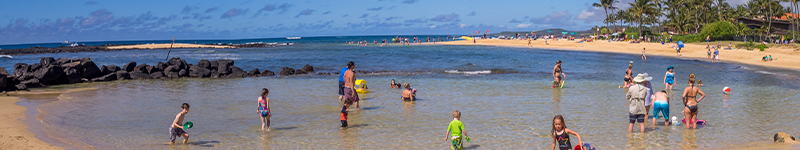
column 503, row 93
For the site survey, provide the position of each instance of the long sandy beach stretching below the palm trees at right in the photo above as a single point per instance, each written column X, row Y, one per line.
column 783, row 57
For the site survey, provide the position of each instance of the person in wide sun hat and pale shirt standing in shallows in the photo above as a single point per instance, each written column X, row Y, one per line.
column 636, row 96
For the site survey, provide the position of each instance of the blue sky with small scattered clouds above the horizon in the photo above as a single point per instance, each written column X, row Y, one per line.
column 47, row 21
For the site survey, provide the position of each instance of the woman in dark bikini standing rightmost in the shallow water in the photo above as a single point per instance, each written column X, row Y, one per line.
column 690, row 101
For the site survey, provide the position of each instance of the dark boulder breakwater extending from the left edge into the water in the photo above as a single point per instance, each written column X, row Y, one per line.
column 51, row 71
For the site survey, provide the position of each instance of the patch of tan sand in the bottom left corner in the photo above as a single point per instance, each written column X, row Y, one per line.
column 14, row 134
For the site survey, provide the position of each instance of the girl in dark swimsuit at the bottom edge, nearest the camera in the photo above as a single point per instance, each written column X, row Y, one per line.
column 561, row 133
